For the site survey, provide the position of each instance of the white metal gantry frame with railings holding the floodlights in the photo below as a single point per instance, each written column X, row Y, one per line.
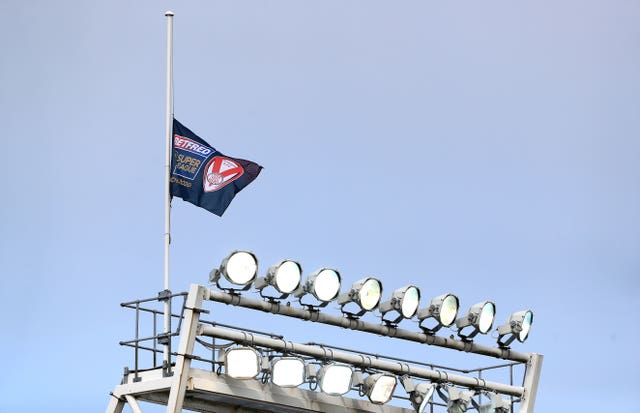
column 178, row 385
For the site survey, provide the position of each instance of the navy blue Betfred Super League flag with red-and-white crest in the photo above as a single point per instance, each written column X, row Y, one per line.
column 202, row 175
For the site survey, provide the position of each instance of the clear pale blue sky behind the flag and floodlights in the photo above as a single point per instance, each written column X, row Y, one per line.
column 490, row 149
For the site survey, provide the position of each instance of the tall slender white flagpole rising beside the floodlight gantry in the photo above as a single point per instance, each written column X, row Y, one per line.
column 167, row 165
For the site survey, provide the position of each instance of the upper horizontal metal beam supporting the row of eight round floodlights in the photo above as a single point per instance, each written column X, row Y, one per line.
column 355, row 324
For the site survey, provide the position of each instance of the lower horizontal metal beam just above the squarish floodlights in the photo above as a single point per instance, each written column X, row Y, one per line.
column 359, row 360
